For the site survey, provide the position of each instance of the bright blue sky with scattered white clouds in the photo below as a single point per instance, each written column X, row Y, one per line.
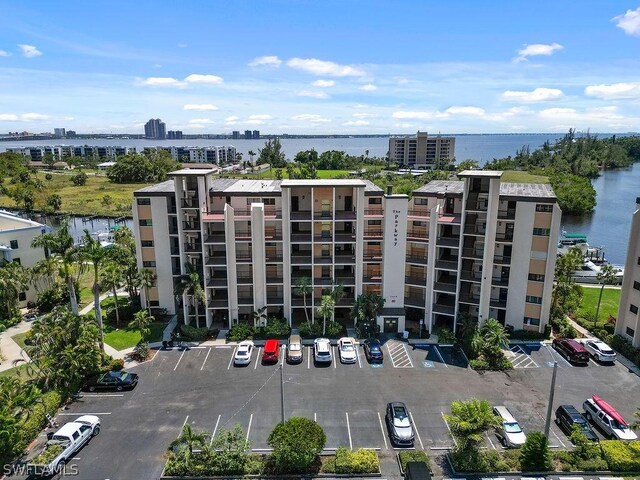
column 321, row 67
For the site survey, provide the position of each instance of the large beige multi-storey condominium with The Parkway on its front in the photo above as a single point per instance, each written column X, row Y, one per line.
column 473, row 246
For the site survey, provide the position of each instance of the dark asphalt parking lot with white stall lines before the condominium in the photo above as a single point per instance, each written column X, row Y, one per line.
column 202, row 387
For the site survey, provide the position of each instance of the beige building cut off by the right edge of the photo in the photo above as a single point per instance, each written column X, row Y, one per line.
column 628, row 323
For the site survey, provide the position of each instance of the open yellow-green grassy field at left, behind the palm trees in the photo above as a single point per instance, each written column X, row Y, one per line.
column 86, row 199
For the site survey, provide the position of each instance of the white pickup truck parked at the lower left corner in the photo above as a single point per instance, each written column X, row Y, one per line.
column 63, row 445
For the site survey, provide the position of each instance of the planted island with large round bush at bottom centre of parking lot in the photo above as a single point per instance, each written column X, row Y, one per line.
column 297, row 448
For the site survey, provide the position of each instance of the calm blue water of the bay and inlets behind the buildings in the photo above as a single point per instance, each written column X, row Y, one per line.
column 608, row 226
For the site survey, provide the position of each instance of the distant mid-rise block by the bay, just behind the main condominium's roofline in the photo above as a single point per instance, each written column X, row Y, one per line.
column 422, row 151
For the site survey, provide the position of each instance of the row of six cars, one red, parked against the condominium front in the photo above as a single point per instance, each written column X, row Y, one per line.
column 322, row 351
